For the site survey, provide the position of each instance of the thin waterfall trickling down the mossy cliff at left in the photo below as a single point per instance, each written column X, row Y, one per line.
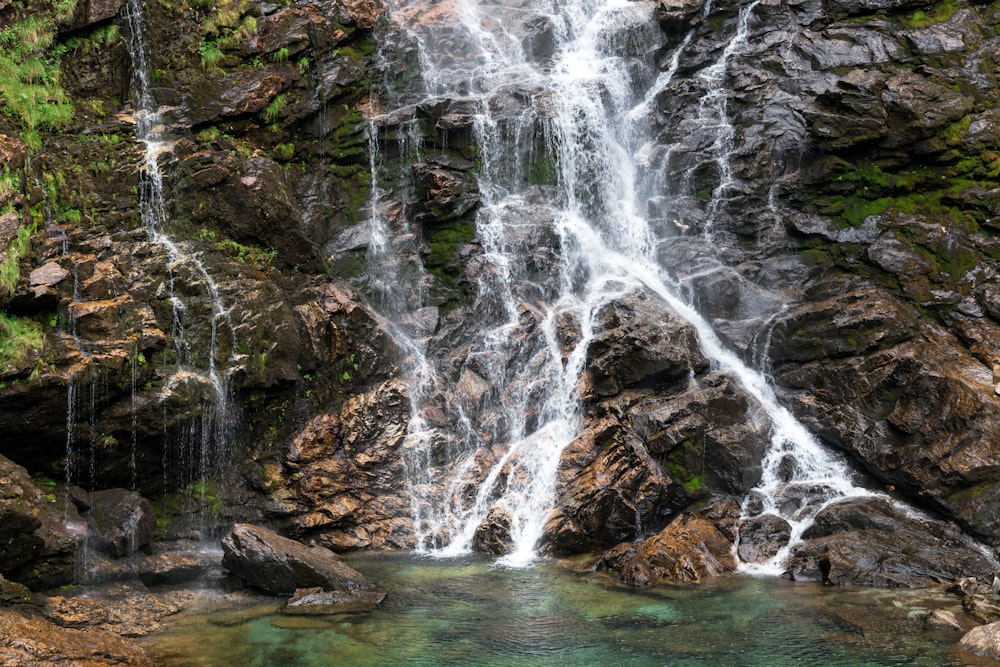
column 200, row 453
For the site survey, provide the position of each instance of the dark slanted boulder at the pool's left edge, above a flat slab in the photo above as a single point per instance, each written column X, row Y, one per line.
column 279, row 565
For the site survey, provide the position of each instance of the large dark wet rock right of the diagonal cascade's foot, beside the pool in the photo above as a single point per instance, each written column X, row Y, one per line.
column 868, row 541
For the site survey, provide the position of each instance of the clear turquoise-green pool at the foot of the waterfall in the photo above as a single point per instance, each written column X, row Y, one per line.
column 470, row 612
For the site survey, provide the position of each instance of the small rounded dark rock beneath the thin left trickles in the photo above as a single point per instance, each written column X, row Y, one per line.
column 121, row 522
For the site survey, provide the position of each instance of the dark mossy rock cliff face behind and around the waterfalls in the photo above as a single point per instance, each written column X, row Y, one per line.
column 855, row 217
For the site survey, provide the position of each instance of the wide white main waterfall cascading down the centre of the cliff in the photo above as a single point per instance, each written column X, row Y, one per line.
column 583, row 108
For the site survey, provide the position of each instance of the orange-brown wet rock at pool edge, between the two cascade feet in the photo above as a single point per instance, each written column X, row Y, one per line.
column 689, row 549
